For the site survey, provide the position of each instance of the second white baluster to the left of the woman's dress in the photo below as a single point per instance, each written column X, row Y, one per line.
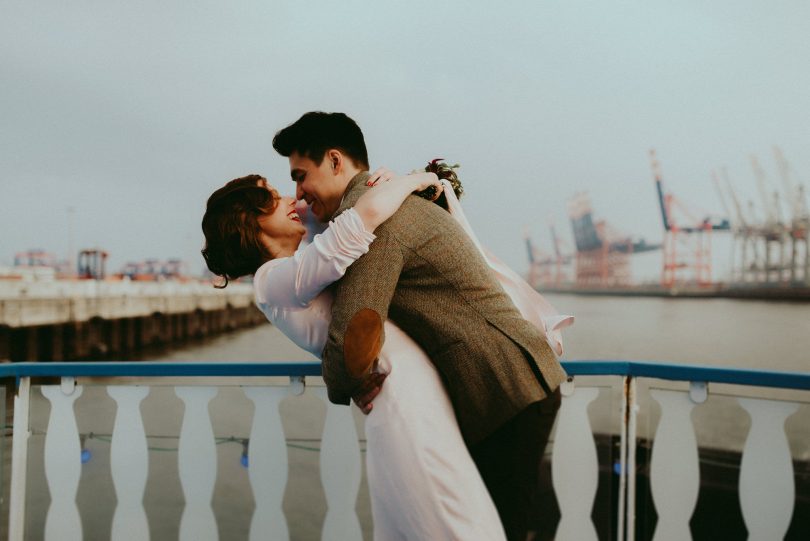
column 268, row 465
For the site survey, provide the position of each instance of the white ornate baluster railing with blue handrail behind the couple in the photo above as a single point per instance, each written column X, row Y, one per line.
column 620, row 398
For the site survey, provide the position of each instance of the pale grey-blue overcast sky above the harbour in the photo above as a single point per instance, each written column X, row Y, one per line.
column 133, row 112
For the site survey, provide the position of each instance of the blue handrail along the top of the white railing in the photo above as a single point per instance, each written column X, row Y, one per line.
column 645, row 369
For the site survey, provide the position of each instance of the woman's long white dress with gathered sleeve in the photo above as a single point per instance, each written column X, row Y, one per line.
column 422, row 480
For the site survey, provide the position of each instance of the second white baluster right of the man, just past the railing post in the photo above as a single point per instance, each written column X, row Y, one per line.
column 674, row 466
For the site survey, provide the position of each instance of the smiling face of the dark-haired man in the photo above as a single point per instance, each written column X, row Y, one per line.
column 319, row 185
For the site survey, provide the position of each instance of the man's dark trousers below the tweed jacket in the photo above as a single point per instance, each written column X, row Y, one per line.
column 509, row 462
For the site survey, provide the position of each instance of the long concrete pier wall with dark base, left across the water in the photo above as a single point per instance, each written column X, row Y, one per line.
column 70, row 320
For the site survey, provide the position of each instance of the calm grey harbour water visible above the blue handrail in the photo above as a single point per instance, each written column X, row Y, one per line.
column 715, row 332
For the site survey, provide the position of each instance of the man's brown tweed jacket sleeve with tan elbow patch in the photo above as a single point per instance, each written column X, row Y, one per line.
column 359, row 309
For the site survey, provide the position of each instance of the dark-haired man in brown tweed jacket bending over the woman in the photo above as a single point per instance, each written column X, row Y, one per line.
column 425, row 274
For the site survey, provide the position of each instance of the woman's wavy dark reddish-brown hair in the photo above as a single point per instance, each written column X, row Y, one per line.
column 233, row 246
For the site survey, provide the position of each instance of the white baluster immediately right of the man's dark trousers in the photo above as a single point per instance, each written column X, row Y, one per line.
column 574, row 465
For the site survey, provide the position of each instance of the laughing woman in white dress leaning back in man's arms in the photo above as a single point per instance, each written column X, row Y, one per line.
column 422, row 481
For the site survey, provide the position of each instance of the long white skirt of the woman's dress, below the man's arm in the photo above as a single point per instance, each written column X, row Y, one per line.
column 423, row 483
